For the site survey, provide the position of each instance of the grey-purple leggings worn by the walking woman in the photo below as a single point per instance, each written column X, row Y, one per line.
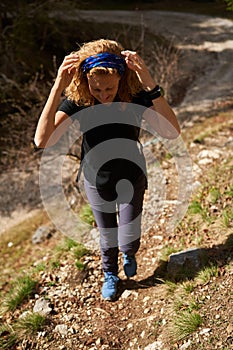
column 117, row 211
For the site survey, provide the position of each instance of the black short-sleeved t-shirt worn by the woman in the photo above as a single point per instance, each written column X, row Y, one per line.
column 111, row 150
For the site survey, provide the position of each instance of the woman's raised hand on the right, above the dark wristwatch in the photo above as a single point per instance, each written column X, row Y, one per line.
column 136, row 63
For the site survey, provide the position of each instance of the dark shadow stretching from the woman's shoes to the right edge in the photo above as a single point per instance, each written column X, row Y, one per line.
column 192, row 262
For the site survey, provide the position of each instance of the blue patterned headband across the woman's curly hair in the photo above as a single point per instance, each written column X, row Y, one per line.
column 104, row 59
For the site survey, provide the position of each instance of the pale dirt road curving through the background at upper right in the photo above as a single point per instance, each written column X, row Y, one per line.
column 207, row 43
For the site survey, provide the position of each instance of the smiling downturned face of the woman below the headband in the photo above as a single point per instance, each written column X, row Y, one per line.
column 103, row 87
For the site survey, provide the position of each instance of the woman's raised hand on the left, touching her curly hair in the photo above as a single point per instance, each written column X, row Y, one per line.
column 66, row 71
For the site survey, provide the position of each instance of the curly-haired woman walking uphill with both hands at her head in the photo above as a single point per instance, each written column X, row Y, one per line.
column 97, row 75
